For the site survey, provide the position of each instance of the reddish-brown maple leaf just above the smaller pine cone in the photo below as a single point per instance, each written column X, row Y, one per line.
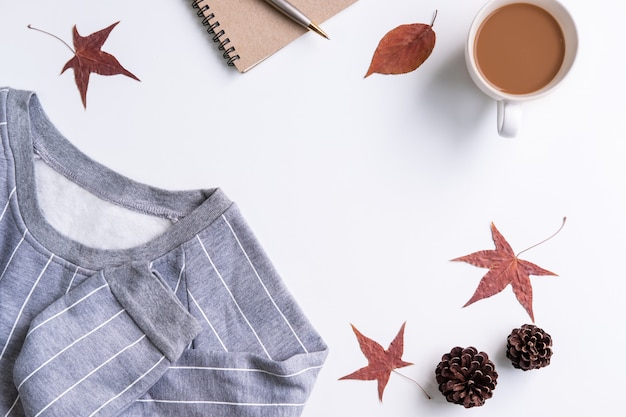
column 504, row 268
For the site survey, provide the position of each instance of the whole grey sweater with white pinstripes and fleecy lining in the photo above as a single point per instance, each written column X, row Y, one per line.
column 195, row 321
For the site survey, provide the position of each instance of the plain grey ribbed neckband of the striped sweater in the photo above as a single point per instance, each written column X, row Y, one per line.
column 31, row 134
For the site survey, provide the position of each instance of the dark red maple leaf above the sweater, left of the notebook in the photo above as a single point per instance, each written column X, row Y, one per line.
column 88, row 58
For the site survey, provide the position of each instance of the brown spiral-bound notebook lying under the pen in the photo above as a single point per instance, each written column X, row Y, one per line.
column 249, row 31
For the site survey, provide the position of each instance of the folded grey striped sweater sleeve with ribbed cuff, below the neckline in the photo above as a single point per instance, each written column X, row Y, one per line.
column 102, row 345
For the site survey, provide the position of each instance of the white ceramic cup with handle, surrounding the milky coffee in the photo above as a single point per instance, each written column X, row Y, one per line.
column 509, row 106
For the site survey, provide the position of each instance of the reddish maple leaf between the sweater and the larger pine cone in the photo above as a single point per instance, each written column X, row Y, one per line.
column 380, row 361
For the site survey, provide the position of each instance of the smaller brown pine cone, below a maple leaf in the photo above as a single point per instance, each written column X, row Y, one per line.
column 529, row 347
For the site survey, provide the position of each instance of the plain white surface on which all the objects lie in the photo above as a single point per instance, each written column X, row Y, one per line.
column 362, row 190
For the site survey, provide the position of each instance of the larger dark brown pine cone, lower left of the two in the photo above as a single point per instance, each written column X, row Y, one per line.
column 466, row 376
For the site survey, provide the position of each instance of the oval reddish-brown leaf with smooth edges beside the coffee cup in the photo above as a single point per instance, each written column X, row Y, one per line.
column 403, row 49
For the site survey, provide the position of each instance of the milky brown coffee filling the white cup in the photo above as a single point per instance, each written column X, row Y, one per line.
column 519, row 48
